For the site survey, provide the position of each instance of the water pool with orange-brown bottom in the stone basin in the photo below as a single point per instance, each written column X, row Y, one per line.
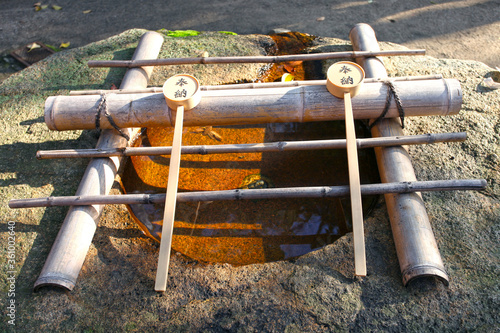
column 249, row 231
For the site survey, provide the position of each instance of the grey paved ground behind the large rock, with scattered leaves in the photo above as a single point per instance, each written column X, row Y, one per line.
column 466, row 29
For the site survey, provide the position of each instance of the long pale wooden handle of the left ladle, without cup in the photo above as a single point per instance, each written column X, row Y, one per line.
column 170, row 202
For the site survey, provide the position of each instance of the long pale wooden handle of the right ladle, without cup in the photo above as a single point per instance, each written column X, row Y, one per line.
column 355, row 189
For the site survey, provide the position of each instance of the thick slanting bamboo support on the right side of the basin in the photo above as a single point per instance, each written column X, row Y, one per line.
column 416, row 246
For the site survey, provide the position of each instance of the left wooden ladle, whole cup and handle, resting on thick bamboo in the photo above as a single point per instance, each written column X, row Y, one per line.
column 182, row 92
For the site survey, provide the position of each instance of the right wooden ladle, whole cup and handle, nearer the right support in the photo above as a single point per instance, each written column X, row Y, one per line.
column 344, row 80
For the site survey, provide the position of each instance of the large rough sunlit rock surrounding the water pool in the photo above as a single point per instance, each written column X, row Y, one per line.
column 314, row 293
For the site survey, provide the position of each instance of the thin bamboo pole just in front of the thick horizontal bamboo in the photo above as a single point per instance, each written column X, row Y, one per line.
column 256, row 147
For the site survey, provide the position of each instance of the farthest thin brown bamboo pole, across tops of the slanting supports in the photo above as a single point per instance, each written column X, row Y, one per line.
column 251, row 59
